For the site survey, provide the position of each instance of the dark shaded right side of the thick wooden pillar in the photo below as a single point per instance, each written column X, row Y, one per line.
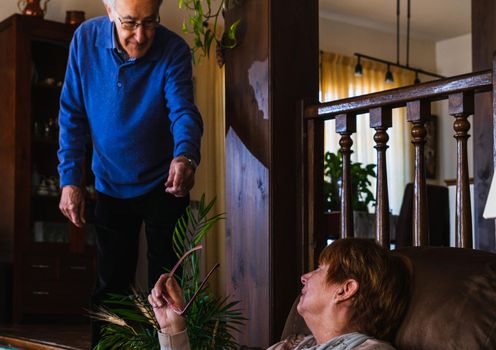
column 294, row 66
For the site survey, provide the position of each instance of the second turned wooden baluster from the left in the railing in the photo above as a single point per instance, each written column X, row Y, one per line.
column 381, row 120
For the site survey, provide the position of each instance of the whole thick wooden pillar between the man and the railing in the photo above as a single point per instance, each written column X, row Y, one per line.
column 272, row 69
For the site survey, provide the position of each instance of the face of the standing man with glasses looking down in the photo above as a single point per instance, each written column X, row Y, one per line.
column 136, row 41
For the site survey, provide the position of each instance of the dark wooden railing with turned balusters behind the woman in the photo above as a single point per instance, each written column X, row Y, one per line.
column 458, row 90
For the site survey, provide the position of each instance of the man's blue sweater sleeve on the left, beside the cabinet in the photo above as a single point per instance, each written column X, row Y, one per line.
column 73, row 123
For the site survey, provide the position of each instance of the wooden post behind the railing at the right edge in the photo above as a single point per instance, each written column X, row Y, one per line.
column 483, row 47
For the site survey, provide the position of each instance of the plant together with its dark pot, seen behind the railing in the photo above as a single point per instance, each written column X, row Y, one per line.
column 361, row 196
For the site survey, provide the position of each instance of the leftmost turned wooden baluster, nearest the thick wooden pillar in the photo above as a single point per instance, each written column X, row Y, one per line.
column 346, row 126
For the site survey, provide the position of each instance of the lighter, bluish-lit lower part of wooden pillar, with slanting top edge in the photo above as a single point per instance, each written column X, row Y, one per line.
column 247, row 238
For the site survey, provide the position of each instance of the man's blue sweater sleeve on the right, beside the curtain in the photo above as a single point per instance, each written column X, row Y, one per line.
column 186, row 122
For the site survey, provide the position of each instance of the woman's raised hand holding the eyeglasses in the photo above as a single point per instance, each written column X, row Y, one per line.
column 166, row 296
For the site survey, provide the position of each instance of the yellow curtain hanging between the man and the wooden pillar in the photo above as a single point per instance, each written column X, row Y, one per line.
column 210, row 176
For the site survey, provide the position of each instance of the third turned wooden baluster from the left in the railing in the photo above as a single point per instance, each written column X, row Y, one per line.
column 417, row 112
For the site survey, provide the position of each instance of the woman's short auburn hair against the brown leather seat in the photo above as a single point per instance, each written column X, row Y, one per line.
column 383, row 294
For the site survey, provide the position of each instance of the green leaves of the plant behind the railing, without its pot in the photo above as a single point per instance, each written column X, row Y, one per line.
column 361, row 196
